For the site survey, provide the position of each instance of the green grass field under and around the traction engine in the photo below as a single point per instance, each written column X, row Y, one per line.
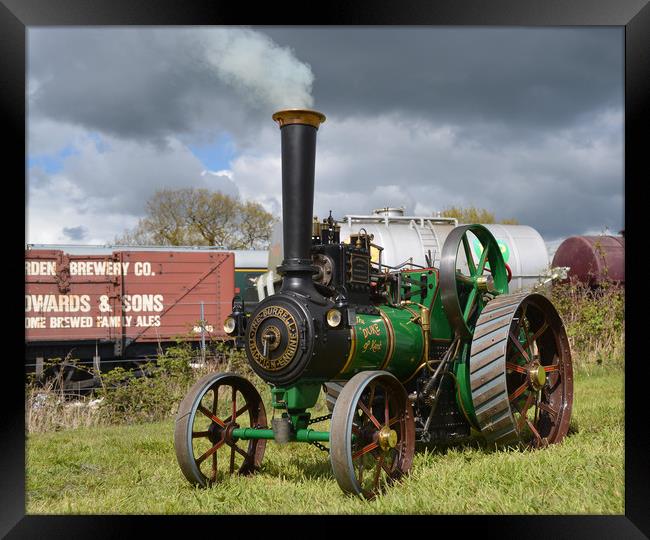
column 133, row 470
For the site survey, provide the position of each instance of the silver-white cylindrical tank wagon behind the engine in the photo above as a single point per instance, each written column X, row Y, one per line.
column 419, row 240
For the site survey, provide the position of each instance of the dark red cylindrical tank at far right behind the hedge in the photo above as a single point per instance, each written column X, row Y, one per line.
column 593, row 259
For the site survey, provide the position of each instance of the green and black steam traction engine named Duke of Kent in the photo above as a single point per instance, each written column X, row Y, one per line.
column 405, row 354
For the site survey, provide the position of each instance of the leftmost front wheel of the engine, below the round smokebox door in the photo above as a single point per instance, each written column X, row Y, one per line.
column 205, row 448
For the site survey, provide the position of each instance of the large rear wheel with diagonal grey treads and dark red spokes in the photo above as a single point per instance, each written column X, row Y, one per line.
column 521, row 376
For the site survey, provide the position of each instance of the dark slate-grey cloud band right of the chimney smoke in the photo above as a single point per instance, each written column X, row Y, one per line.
column 535, row 78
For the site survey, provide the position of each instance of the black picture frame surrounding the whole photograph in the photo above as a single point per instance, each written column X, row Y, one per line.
column 634, row 15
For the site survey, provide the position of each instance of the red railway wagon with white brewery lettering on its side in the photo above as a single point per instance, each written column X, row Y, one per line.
column 125, row 304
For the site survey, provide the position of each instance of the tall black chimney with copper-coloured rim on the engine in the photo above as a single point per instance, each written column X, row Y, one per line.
column 298, row 129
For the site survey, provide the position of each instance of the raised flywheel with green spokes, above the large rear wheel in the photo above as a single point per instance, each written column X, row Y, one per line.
column 460, row 294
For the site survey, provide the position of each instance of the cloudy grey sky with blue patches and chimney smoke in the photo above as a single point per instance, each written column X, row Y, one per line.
column 525, row 122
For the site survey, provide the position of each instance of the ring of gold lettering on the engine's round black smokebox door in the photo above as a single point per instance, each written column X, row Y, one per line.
column 285, row 350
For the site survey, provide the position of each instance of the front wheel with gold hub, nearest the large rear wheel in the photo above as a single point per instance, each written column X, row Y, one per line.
column 369, row 453
